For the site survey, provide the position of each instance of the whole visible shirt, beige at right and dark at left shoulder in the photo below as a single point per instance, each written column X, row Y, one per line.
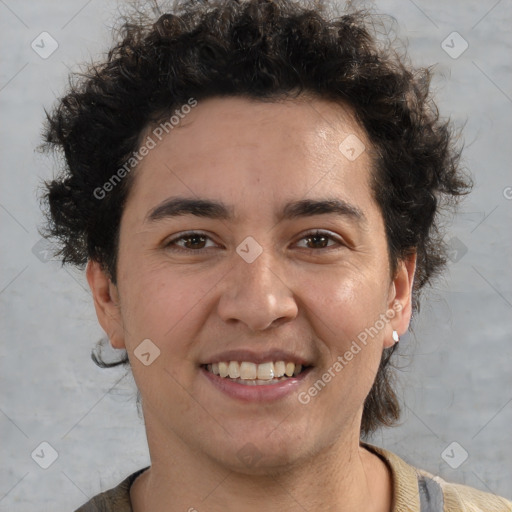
column 414, row 490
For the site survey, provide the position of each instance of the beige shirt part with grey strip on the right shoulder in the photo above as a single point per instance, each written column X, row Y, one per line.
column 420, row 491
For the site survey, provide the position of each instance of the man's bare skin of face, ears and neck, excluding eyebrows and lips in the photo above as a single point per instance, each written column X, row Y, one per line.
column 309, row 296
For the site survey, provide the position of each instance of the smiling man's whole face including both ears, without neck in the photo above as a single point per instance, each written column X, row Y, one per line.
column 290, row 265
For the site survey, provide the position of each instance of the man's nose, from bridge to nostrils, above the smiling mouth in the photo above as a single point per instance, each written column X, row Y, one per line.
column 257, row 294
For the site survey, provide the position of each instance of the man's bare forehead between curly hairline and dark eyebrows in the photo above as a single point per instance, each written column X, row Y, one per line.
column 257, row 151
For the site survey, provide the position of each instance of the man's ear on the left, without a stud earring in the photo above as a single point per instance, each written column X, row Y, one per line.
column 106, row 303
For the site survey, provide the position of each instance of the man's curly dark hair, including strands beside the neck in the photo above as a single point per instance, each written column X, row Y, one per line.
column 264, row 50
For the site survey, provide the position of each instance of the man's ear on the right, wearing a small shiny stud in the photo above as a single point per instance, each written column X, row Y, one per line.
column 400, row 299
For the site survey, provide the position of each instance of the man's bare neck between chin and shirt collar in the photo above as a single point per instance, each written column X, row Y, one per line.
column 342, row 478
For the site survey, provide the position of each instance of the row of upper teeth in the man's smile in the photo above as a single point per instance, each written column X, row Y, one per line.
column 250, row 371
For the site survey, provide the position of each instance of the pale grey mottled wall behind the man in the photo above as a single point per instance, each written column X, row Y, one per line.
column 456, row 387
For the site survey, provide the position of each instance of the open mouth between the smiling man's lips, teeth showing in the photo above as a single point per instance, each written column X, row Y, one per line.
column 249, row 373
